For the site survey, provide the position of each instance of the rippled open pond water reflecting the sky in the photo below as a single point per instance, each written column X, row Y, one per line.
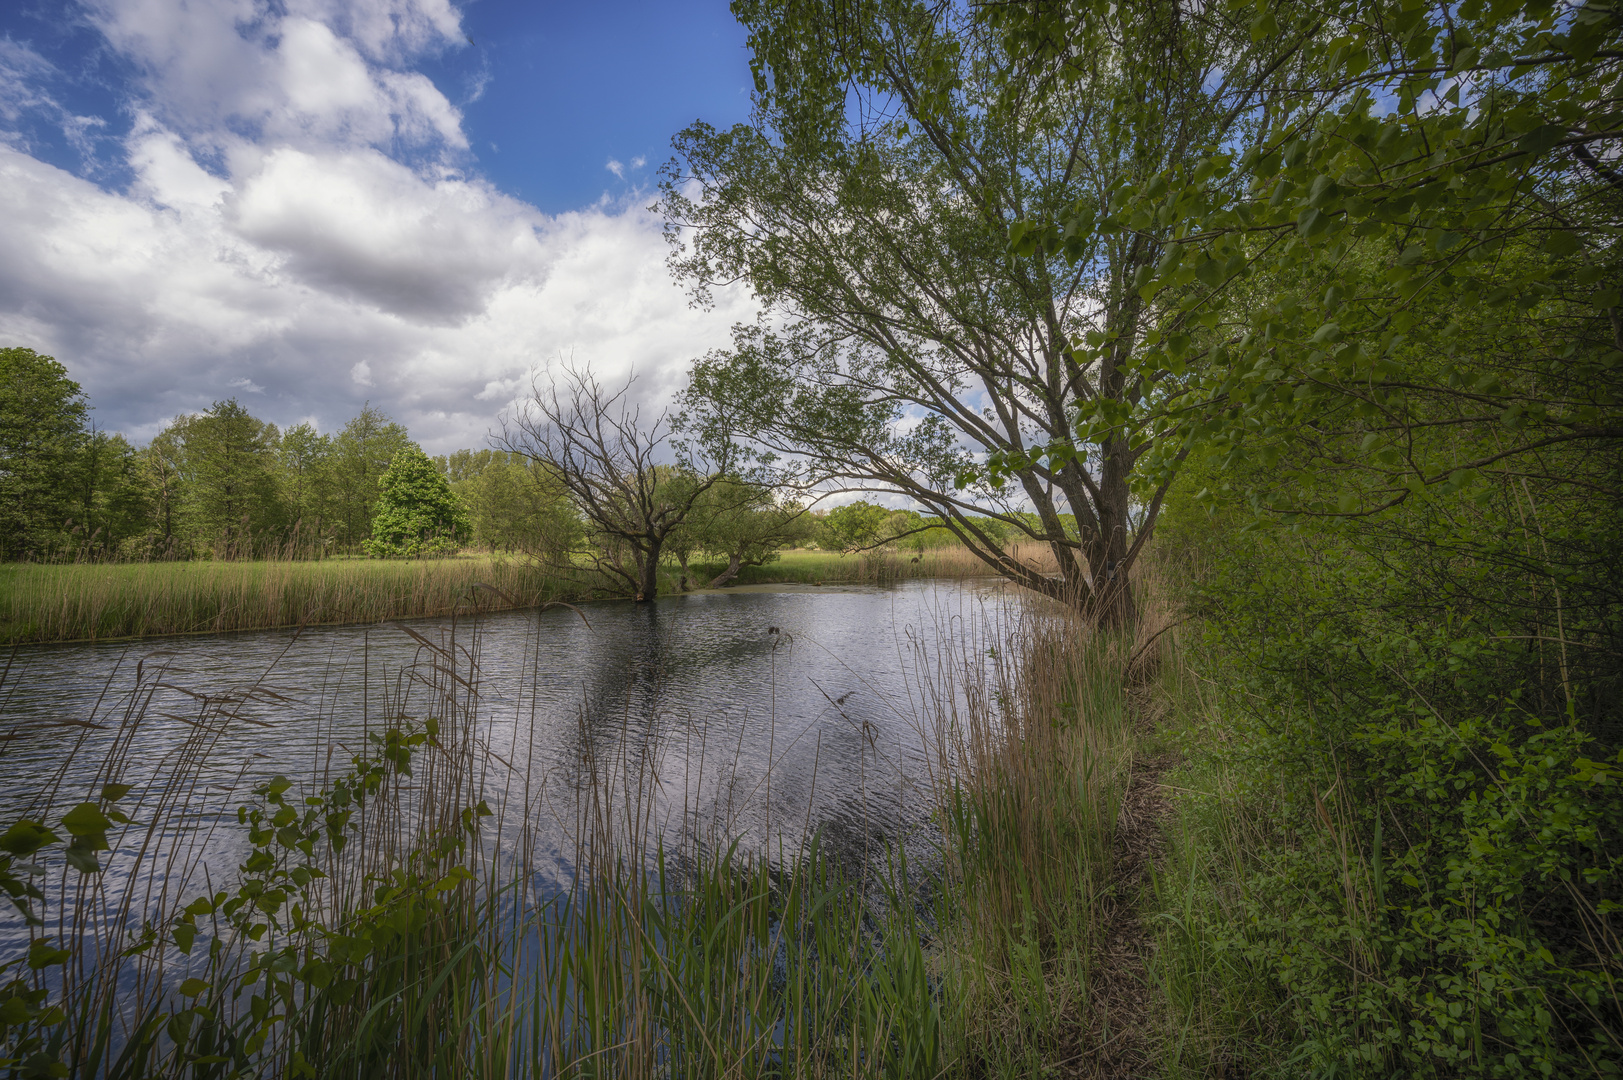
column 773, row 711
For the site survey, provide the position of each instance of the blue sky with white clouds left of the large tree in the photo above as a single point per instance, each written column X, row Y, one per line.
column 317, row 204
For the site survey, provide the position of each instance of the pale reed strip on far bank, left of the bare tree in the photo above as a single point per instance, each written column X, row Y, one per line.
column 98, row 602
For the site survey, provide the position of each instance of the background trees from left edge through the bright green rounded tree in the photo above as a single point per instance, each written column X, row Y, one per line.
column 212, row 485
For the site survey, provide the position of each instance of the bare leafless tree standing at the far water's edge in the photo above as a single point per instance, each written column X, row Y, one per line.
column 596, row 444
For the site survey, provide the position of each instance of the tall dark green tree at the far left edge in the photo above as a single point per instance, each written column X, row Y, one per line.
column 41, row 431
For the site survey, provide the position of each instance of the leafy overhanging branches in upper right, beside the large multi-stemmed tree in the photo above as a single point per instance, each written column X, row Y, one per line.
column 1429, row 171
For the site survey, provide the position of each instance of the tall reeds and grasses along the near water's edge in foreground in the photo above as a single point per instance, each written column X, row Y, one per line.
column 389, row 917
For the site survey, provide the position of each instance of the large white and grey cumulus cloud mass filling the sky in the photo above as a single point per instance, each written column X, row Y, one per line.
column 306, row 225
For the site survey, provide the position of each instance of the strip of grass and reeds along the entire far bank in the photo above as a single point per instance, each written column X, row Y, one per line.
column 98, row 602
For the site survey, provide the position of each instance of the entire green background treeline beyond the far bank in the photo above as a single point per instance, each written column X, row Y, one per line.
column 226, row 485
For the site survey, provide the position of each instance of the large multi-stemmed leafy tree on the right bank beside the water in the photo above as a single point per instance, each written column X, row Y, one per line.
column 869, row 205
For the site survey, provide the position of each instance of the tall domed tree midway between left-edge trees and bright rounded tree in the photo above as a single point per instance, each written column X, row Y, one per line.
column 233, row 491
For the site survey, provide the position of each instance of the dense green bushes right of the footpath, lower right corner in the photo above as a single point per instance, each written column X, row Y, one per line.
column 1423, row 759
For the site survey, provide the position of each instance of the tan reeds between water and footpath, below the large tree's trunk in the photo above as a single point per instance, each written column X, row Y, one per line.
column 1035, row 761
